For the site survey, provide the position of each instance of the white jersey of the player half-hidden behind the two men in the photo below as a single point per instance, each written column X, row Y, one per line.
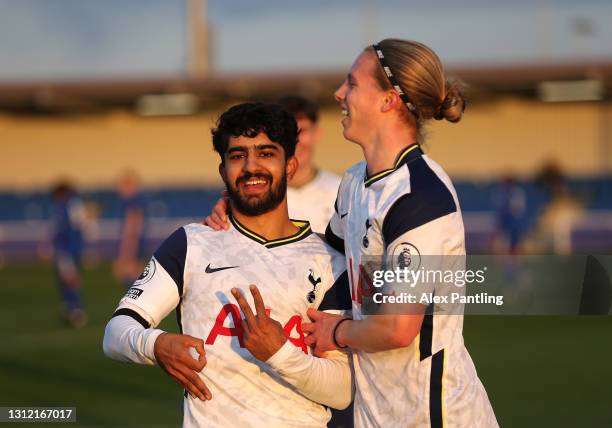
column 314, row 201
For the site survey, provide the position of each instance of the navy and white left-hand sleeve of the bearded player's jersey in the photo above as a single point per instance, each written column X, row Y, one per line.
column 159, row 288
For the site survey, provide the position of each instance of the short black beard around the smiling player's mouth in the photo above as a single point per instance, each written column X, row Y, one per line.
column 256, row 205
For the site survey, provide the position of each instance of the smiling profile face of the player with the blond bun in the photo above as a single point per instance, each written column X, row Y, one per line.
column 359, row 97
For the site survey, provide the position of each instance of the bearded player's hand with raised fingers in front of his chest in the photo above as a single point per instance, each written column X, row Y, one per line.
column 263, row 336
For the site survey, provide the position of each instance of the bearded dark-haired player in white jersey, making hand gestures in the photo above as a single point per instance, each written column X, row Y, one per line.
column 254, row 372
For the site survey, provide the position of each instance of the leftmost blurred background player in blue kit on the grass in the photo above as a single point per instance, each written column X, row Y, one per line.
column 67, row 223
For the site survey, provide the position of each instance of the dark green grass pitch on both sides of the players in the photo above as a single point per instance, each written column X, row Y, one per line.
column 538, row 371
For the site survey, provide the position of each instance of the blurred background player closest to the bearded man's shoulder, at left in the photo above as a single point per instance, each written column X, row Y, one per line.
column 128, row 264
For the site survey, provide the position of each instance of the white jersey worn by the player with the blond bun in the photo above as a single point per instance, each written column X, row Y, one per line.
column 412, row 207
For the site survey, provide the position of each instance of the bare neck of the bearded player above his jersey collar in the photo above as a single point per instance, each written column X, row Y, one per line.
column 274, row 224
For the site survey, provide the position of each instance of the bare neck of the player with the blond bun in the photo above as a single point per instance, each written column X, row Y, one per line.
column 381, row 154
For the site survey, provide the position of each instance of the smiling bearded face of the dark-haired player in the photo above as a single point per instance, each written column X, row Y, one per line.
column 255, row 173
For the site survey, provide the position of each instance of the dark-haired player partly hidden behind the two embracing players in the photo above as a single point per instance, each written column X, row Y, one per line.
column 312, row 191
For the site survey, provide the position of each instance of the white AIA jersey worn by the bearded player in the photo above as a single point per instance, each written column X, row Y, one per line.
column 194, row 271
